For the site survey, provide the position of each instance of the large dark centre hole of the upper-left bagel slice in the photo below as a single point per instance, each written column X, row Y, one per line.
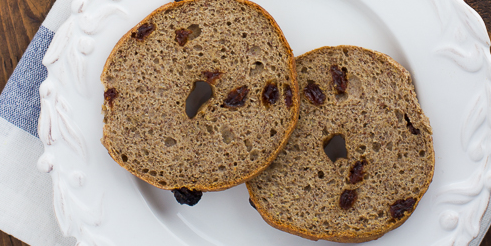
column 200, row 94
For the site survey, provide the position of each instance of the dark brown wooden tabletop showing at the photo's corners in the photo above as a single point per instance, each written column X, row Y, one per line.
column 20, row 19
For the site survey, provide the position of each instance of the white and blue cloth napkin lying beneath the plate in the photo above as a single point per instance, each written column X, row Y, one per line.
column 26, row 197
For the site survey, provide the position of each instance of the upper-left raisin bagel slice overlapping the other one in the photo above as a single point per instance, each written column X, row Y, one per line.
column 238, row 49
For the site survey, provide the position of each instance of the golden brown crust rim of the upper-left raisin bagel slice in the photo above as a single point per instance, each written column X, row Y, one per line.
column 294, row 108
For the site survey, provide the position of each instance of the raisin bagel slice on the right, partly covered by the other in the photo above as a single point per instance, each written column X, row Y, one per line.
column 390, row 158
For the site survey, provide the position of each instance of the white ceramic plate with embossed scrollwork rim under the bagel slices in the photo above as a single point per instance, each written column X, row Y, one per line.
column 443, row 43
